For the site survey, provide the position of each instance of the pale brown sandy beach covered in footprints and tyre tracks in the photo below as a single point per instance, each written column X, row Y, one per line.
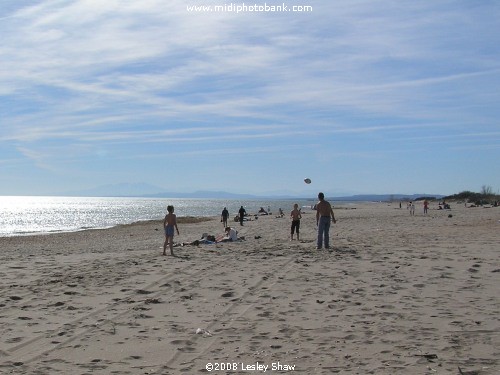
column 397, row 294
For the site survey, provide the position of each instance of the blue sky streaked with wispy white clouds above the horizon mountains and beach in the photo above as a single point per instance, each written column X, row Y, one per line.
column 362, row 97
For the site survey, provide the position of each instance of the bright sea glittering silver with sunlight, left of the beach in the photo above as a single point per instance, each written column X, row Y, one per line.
column 28, row 215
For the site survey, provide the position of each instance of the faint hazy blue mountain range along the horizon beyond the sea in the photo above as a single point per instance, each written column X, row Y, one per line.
column 151, row 191
